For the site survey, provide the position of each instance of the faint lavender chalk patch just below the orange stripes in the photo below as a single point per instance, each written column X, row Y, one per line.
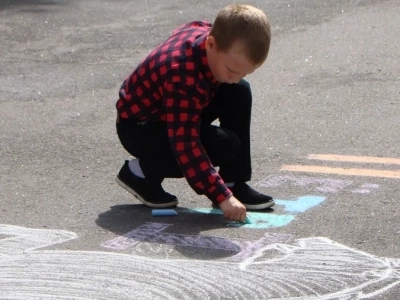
column 321, row 184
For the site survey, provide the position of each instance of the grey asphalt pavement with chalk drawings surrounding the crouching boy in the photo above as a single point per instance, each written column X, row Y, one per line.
column 325, row 144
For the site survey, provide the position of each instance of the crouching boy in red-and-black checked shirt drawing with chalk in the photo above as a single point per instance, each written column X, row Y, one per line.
column 166, row 107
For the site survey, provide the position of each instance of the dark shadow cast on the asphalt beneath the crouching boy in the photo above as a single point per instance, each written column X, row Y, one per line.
column 183, row 231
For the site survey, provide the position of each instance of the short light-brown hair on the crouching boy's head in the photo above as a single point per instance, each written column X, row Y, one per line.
column 247, row 25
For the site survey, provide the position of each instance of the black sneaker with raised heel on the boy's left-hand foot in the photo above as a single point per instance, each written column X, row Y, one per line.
column 149, row 193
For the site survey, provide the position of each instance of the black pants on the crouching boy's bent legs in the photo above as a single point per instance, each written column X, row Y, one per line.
column 228, row 145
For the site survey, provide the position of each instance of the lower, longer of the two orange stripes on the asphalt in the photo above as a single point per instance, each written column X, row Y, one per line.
column 342, row 171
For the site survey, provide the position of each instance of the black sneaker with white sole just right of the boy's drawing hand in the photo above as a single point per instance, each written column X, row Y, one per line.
column 250, row 198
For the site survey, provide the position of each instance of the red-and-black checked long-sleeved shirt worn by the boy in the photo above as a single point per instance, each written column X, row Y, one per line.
column 173, row 84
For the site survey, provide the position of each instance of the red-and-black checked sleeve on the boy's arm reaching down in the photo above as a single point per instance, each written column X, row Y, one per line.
column 183, row 106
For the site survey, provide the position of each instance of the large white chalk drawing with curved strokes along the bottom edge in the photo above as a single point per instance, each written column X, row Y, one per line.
column 310, row 268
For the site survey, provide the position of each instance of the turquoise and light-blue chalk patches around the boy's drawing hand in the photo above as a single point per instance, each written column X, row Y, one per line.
column 264, row 220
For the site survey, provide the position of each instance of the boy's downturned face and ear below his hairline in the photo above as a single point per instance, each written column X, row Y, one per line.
column 228, row 67
